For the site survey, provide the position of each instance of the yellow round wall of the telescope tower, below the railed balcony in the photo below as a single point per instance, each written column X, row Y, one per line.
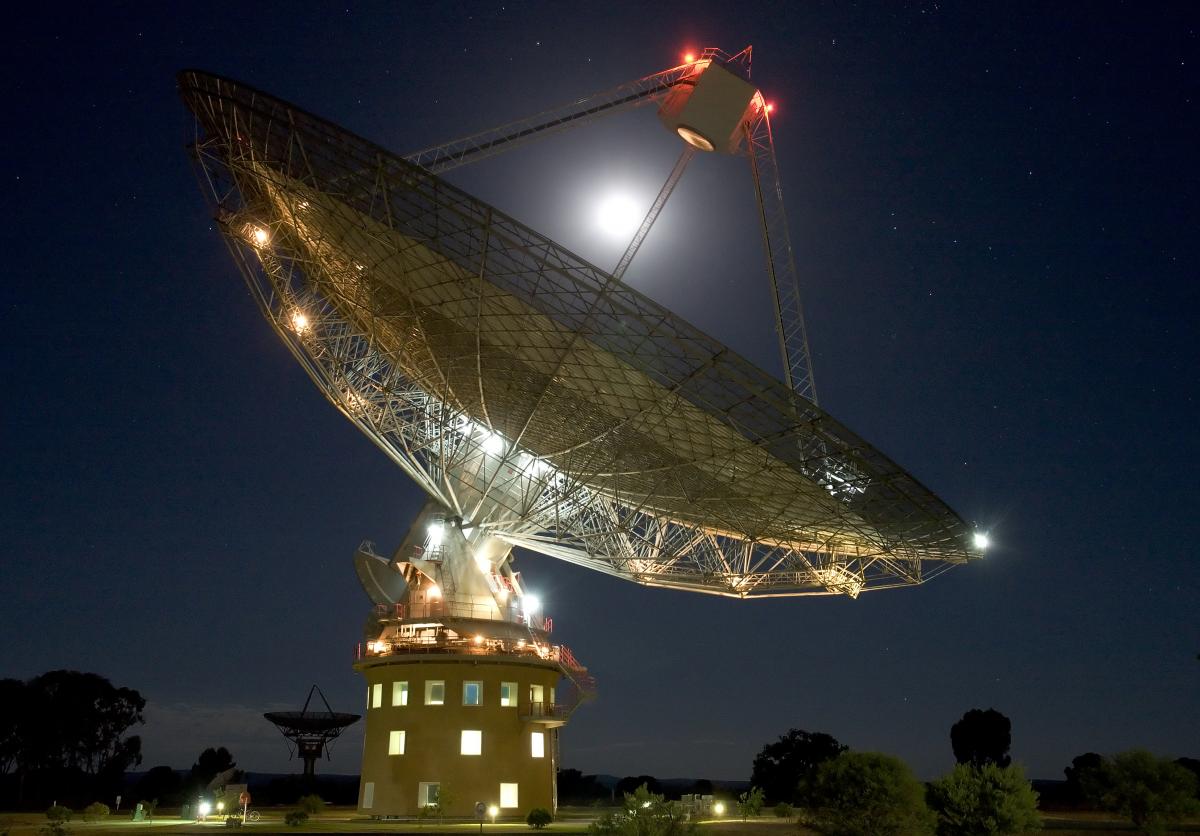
column 392, row 784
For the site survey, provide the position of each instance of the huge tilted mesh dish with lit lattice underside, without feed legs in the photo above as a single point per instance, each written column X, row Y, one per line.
column 532, row 394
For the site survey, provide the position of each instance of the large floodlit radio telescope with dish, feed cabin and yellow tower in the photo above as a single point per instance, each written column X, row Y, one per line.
column 543, row 404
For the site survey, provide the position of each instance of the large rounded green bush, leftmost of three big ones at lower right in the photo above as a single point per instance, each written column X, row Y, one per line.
column 868, row 795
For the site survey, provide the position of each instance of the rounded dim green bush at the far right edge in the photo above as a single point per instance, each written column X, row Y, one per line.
column 1151, row 792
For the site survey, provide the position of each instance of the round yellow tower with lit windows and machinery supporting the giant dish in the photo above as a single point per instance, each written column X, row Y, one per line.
column 466, row 691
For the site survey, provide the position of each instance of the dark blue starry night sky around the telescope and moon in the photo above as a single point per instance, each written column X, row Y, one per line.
column 995, row 220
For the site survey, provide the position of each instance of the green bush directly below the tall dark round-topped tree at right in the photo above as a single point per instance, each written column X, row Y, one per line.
column 987, row 801
